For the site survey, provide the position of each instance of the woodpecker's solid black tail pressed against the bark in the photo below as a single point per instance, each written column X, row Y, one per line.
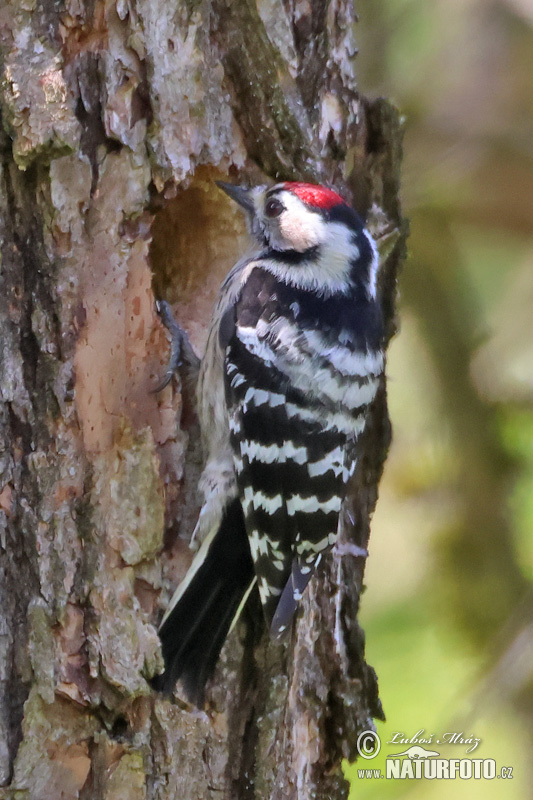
column 194, row 632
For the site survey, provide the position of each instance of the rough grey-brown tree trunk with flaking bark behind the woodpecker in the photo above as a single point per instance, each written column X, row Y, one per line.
column 117, row 116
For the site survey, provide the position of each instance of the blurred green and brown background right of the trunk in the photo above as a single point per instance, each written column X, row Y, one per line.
column 448, row 611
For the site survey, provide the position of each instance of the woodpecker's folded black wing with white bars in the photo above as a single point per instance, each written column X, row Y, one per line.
column 292, row 440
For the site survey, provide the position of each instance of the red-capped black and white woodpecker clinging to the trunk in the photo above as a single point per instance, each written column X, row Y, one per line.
column 293, row 361
